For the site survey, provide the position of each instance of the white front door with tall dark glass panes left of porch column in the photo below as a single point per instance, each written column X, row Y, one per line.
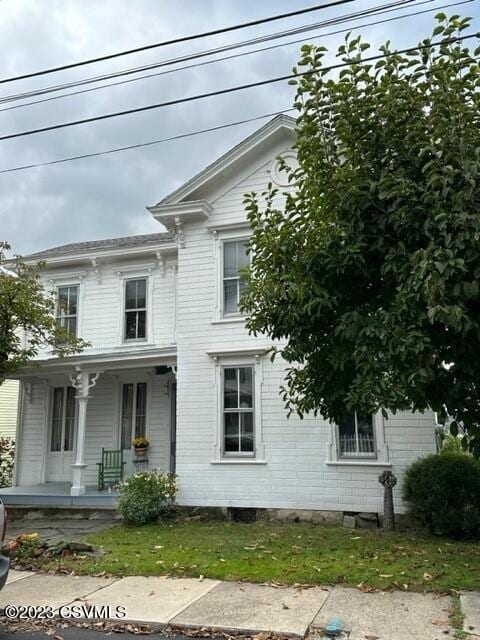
column 62, row 435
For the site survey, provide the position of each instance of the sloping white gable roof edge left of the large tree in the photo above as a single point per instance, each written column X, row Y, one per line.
column 274, row 126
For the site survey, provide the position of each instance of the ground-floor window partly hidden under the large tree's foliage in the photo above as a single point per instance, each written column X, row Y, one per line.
column 356, row 436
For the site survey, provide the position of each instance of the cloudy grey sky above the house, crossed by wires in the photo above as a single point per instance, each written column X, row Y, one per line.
column 106, row 196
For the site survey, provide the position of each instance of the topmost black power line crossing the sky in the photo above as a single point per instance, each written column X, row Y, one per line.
column 196, row 36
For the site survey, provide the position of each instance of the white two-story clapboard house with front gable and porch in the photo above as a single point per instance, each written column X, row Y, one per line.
column 170, row 358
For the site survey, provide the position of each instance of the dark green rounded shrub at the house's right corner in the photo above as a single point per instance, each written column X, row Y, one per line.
column 443, row 493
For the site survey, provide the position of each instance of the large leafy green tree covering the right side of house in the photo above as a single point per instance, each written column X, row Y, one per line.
column 368, row 271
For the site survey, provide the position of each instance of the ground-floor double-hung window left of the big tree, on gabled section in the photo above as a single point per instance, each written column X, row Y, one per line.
column 238, row 411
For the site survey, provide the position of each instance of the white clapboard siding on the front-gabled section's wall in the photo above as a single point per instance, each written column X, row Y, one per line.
column 296, row 474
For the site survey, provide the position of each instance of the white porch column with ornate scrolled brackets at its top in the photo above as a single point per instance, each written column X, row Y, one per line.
column 82, row 381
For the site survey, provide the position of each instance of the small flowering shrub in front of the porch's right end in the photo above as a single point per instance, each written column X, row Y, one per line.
column 144, row 495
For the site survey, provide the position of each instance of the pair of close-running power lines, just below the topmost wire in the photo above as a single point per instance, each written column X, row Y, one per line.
column 234, row 56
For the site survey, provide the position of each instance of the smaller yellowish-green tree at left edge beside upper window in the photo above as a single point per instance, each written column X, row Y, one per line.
column 27, row 316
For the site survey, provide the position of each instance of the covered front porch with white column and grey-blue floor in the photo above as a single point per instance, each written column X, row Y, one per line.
column 73, row 409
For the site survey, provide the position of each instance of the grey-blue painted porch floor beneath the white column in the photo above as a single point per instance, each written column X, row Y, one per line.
column 57, row 494
